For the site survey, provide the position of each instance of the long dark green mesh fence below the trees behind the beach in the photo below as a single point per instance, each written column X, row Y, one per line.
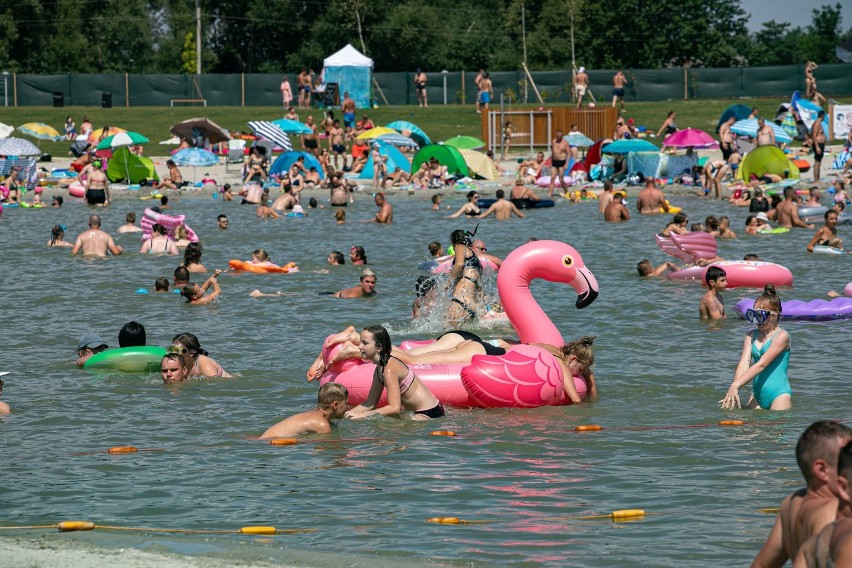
column 398, row 88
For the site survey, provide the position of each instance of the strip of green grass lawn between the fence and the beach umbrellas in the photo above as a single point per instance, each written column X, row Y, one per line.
column 438, row 121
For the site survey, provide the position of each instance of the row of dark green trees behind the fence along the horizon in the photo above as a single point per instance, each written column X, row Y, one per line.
column 274, row 36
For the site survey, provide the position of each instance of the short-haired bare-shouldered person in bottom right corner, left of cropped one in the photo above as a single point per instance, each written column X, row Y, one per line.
column 807, row 511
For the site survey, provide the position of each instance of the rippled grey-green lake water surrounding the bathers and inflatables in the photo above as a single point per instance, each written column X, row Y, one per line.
column 368, row 487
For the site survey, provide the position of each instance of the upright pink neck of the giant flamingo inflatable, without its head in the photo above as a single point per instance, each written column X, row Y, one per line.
column 530, row 322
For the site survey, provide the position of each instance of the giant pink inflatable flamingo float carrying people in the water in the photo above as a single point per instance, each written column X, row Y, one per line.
column 526, row 376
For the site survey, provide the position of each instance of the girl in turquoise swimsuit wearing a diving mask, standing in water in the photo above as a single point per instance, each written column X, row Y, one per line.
column 766, row 354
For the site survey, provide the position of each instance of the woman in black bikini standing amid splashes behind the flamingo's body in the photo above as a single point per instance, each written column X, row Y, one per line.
column 465, row 277
